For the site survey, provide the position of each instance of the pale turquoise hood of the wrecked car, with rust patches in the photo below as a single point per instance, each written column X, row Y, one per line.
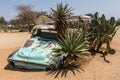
column 36, row 51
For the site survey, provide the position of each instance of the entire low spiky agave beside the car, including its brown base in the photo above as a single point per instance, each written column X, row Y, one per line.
column 73, row 44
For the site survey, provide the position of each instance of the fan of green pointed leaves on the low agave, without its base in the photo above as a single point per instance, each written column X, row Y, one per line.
column 72, row 44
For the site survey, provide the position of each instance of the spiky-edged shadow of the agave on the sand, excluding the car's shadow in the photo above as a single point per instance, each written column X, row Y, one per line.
column 74, row 68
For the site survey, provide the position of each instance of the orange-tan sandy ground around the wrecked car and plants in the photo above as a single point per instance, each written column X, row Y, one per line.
column 95, row 69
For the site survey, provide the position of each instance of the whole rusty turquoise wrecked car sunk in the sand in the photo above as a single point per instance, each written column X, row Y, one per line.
column 37, row 52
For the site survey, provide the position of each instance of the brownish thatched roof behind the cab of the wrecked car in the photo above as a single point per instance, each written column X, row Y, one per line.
column 43, row 20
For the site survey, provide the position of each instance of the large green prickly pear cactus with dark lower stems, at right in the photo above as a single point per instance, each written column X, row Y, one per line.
column 102, row 31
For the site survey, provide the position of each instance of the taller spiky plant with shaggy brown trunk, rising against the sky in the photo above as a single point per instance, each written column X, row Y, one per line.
column 60, row 15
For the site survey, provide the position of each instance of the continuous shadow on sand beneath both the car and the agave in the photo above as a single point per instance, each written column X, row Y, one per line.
column 62, row 71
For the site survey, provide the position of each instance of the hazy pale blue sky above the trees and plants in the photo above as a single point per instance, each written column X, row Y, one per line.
column 108, row 7
